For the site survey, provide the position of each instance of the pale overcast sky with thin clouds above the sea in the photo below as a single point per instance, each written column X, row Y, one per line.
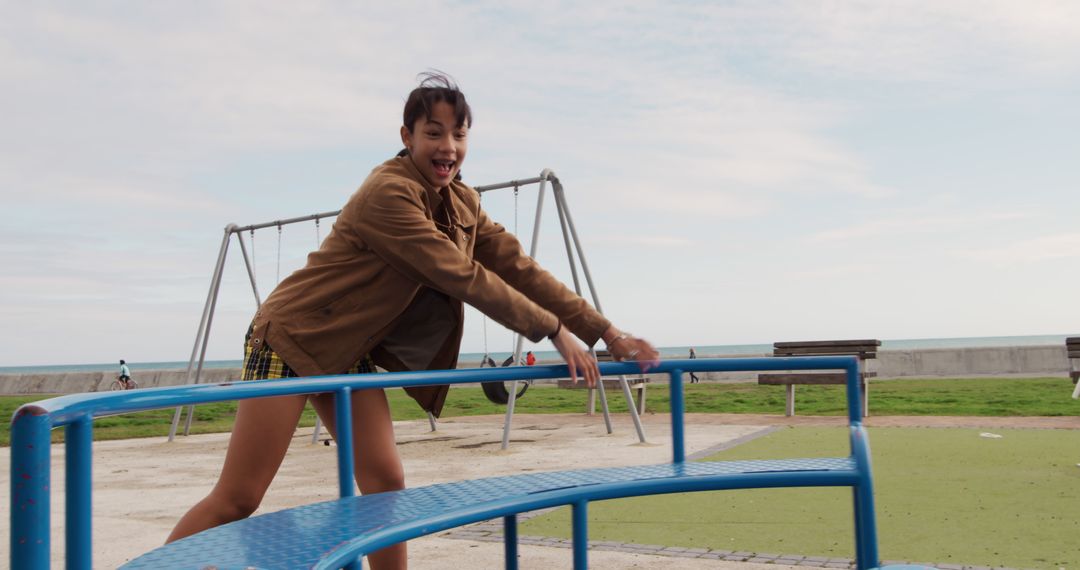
column 739, row 172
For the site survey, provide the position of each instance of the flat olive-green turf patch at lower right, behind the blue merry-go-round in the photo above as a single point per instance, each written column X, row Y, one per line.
column 944, row 496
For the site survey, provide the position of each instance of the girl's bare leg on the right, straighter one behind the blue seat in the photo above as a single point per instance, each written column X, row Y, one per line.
column 375, row 453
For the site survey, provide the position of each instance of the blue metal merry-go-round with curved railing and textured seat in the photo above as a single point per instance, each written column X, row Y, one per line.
column 336, row 534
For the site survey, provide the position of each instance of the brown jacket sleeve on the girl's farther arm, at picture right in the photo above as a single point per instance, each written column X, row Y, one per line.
column 501, row 251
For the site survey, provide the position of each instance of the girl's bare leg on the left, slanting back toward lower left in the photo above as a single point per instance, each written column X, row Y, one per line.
column 261, row 438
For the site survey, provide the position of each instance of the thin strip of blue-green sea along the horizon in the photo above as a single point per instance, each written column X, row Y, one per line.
column 666, row 352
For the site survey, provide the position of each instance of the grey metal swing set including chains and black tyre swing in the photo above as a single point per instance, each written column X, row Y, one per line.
column 497, row 392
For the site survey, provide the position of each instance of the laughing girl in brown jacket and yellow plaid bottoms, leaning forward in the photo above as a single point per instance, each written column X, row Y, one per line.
column 386, row 289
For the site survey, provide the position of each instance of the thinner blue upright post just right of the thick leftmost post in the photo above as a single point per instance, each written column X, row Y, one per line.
column 78, row 440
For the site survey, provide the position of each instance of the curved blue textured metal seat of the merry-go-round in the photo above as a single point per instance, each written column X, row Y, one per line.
column 309, row 536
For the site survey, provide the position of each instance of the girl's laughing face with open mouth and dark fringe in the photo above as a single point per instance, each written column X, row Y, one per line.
column 438, row 145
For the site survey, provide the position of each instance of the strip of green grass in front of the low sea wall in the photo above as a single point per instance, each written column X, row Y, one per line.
column 988, row 397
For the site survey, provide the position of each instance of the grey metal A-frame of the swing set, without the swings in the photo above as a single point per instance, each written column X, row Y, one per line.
column 571, row 240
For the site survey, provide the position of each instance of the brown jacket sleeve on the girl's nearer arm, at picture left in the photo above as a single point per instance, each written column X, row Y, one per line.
column 393, row 222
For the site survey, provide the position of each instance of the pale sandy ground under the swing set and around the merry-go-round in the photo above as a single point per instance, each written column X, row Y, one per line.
column 143, row 486
